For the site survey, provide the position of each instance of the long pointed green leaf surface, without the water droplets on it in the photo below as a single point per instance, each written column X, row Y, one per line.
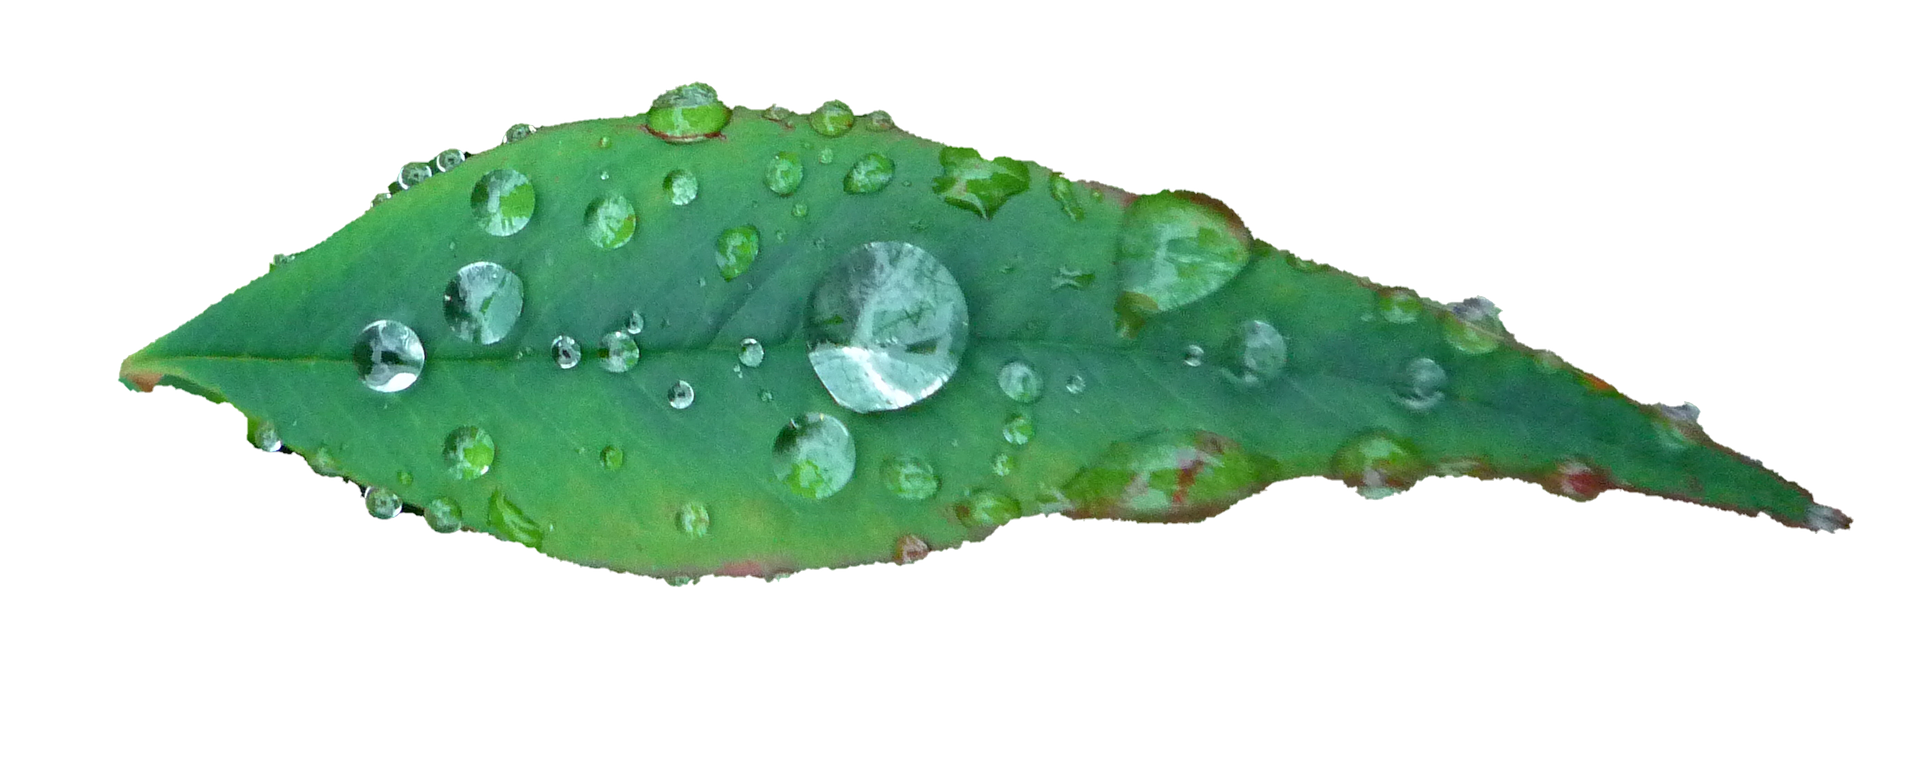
column 1143, row 414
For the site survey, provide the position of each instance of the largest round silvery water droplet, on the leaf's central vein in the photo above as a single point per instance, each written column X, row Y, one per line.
column 886, row 327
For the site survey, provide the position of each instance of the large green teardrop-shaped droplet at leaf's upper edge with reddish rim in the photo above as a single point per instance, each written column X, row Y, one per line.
column 1176, row 249
